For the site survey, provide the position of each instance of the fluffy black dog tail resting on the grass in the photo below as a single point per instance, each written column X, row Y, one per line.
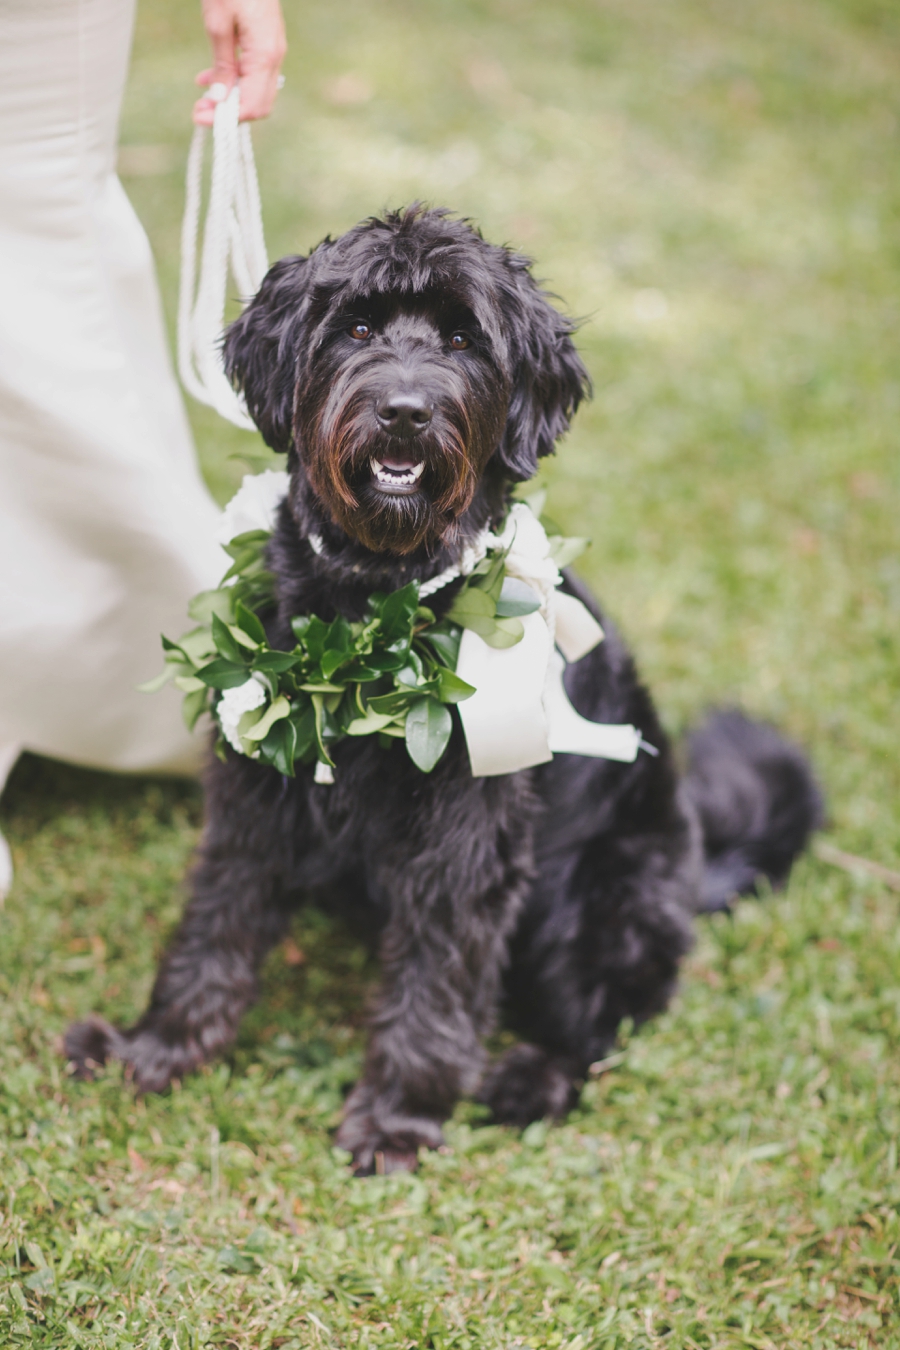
column 758, row 801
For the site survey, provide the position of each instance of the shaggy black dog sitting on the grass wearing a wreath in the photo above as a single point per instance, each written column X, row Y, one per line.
column 414, row 373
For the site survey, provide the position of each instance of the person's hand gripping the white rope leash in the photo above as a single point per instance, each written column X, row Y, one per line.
column 249, row 44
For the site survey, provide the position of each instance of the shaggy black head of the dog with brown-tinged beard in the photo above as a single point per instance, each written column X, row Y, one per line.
column 397, row 362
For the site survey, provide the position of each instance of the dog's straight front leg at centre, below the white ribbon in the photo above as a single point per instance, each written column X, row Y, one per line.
column 453, row 892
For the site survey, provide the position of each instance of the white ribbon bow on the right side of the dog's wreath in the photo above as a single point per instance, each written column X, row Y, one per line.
column 520, row 713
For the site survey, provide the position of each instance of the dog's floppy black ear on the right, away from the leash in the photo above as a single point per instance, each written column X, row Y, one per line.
column 549, row 381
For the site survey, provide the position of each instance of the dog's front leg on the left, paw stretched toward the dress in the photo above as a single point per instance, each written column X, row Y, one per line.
column 238, row 911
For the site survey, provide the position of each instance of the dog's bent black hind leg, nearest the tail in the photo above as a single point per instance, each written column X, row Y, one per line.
column 600, row 942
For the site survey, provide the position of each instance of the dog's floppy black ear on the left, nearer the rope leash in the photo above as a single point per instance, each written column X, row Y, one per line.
column 262, row 349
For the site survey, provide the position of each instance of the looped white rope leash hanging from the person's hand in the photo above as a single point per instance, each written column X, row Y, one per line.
column 233, row 234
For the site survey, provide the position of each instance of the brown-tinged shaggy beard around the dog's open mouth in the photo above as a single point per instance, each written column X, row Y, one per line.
column 339, row 449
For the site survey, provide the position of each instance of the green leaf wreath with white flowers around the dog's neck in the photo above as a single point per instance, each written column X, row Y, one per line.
column 393, row 674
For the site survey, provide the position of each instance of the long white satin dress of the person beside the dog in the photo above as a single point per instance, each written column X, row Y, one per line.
column 106, row 526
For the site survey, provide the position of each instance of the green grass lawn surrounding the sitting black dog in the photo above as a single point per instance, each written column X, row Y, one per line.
column 714, row 187
